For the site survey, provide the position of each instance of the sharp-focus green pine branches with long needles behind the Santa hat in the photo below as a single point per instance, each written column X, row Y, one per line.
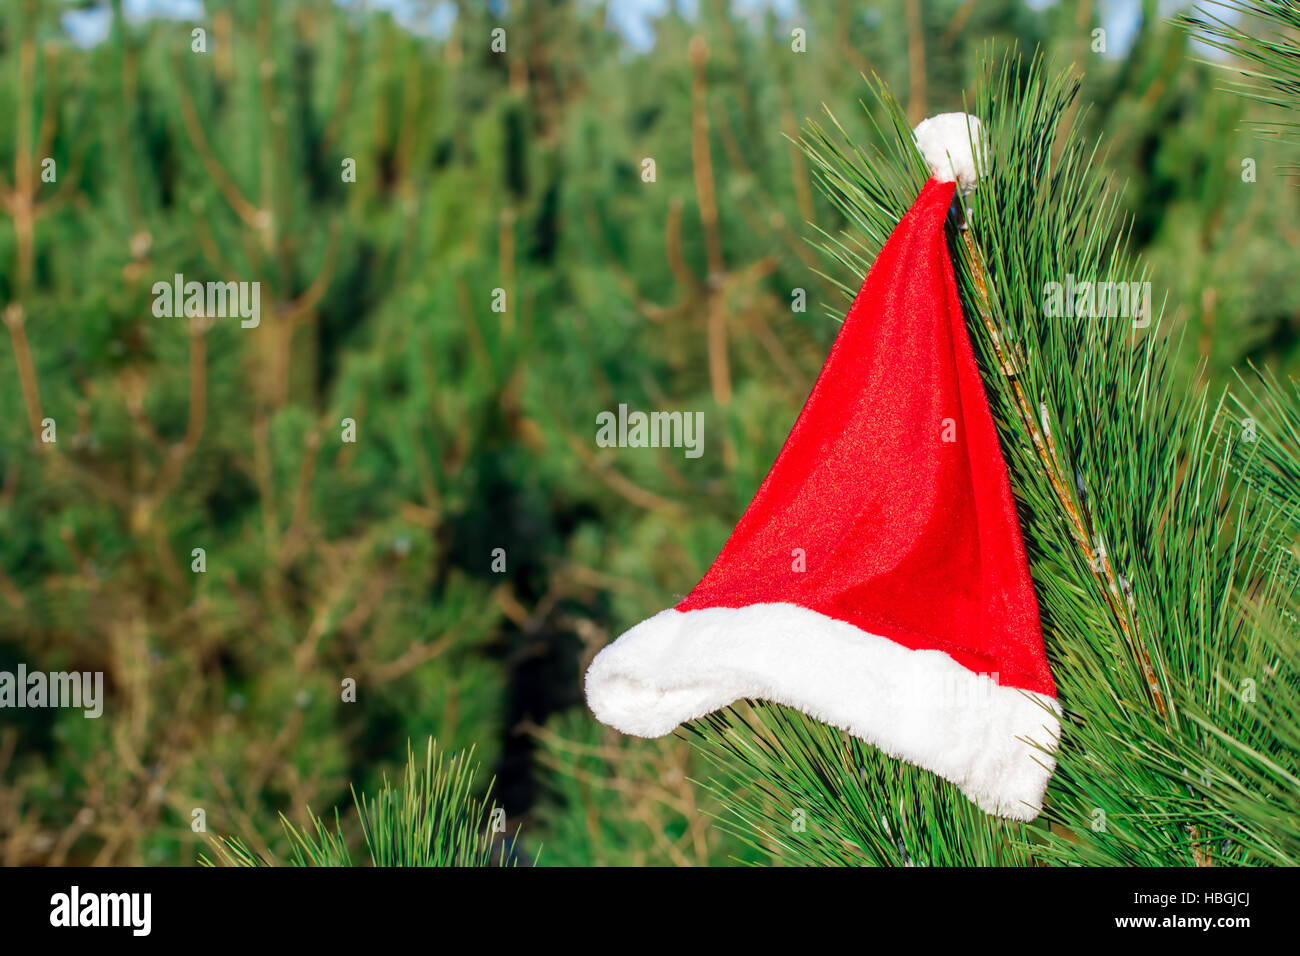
column 1168, row 596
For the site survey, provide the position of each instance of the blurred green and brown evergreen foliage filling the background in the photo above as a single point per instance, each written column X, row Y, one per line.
column 480, row 176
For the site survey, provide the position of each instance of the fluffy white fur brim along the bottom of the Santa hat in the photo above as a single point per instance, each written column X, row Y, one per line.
column 996, row 743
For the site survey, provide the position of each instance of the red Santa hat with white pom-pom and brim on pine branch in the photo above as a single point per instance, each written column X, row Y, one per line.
column 878, row 581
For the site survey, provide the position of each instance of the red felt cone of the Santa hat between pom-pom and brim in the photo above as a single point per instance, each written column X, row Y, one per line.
column 905, row 535
